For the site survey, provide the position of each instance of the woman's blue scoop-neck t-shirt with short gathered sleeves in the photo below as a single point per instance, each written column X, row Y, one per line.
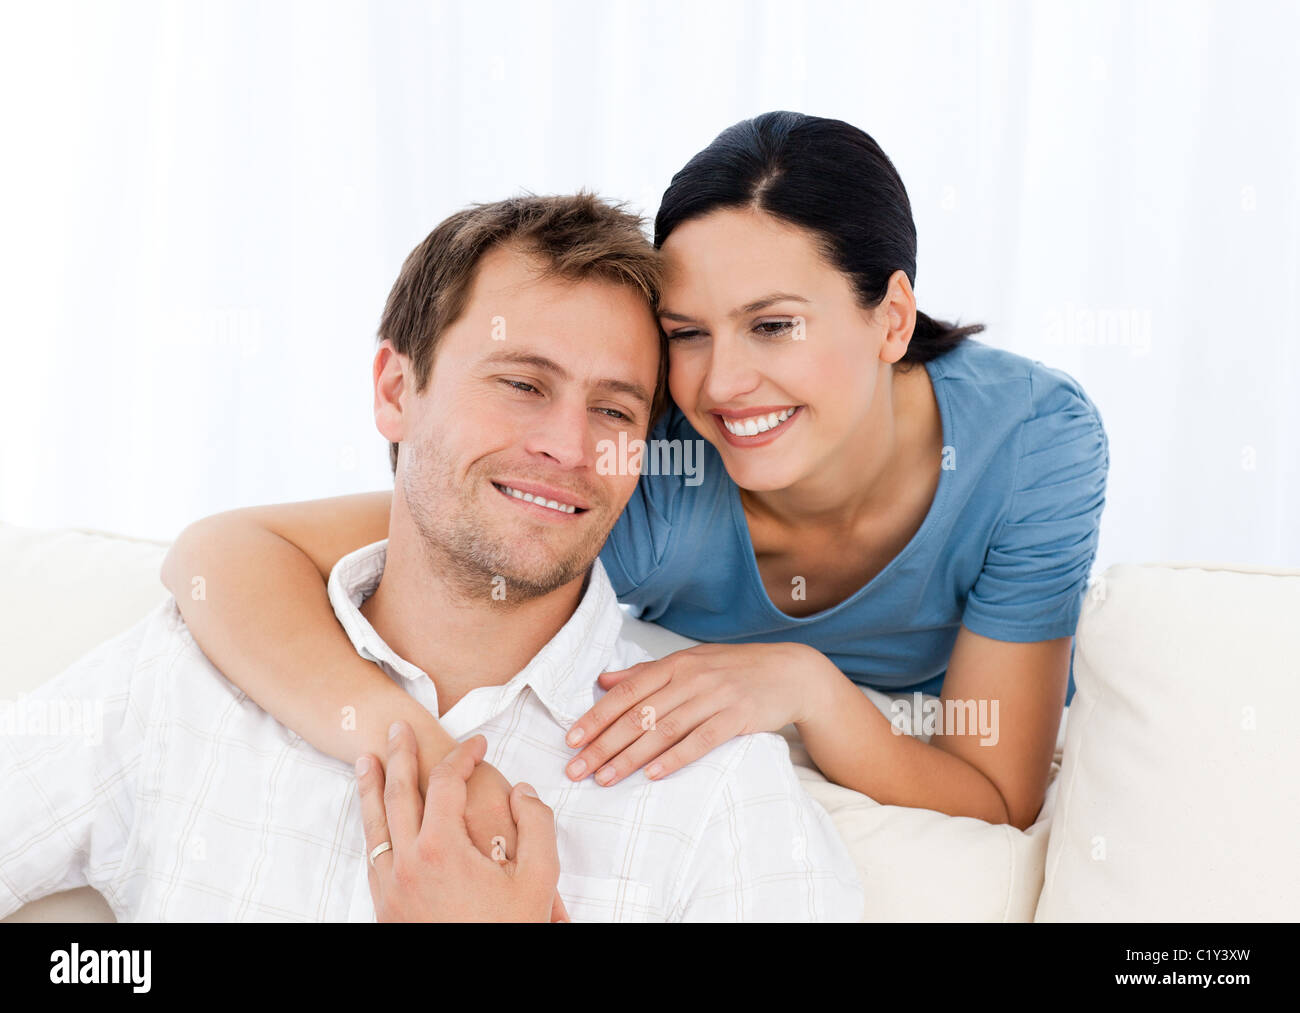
column 1006, row 549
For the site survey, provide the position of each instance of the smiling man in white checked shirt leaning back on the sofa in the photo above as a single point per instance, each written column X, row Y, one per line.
column 487, row 604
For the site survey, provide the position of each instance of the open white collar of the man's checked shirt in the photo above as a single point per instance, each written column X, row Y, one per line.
column 562, row 674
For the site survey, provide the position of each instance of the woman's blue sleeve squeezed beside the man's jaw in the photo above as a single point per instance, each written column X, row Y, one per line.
column 640, row 540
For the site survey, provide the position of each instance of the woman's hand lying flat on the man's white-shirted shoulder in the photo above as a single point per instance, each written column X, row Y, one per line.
column 671, row 712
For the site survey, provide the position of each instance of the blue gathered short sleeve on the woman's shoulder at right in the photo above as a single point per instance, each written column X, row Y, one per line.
column 1037, row 569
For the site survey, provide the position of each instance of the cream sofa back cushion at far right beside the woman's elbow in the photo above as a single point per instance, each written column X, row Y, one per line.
column 1178, row 791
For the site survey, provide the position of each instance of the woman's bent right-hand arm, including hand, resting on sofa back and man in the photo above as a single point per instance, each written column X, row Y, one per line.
column 1007, row 700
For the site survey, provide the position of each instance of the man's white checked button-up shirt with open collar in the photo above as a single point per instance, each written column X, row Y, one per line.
column 197, row 806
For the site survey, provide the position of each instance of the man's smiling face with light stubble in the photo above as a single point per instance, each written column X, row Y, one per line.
column 526, row 387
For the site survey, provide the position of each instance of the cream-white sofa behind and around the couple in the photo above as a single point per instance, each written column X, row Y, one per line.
column 1175, row 793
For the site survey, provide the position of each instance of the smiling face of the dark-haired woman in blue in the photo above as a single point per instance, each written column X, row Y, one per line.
column 772, row 358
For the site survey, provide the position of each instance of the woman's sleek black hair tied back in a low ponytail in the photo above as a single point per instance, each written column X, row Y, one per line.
column 825, row 176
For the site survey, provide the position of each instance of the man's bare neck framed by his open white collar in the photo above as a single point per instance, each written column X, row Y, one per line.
column 462, row 642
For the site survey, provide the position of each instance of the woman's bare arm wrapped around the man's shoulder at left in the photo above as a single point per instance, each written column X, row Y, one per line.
column 252, row 588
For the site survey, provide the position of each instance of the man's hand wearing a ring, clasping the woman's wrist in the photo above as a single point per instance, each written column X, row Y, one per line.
column 434, row 872
